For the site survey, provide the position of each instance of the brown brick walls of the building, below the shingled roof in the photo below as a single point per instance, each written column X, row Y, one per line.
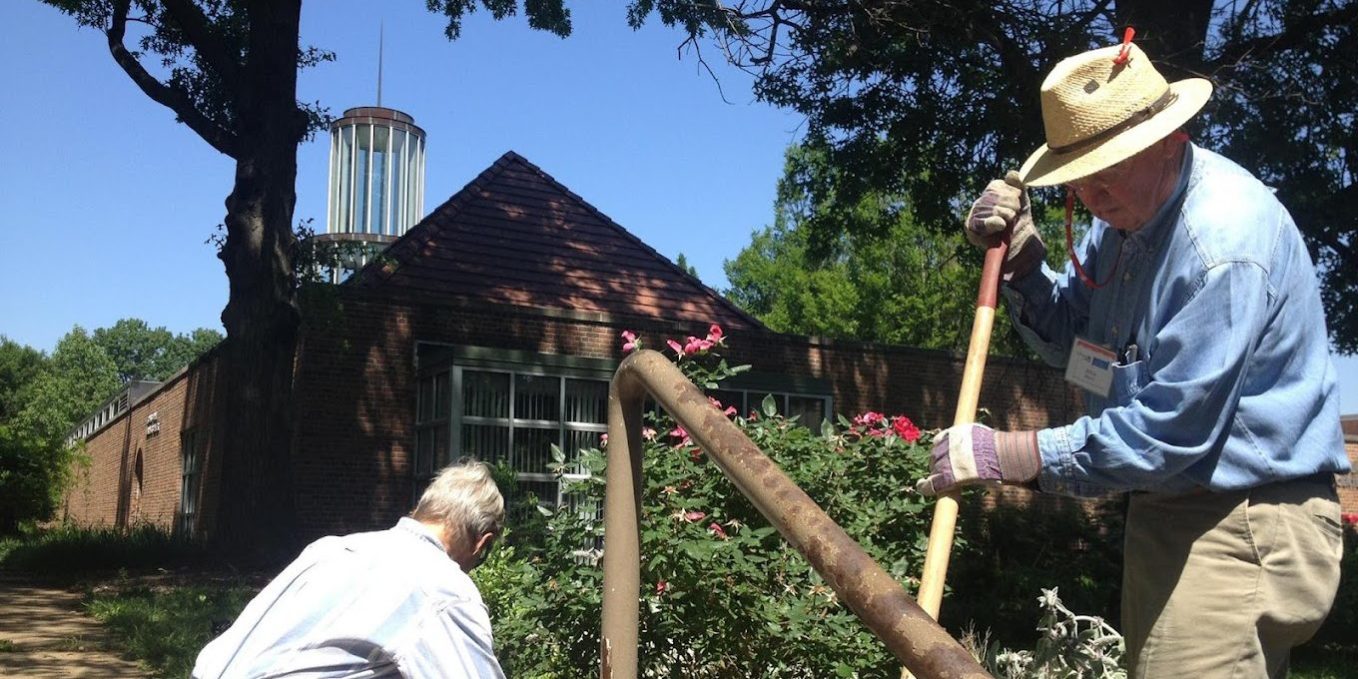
column 356, row 403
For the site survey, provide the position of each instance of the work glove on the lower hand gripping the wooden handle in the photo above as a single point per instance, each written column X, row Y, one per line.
column 974, row 454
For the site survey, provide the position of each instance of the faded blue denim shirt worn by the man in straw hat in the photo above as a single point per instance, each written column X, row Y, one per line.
column 1231, row 385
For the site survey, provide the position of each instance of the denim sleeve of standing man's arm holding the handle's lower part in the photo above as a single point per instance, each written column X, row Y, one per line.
column 1182, row 397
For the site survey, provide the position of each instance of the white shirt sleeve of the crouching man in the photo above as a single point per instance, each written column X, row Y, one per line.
column 456, row 642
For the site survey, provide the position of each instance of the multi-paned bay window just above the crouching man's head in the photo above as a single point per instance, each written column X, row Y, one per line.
column 511, row 416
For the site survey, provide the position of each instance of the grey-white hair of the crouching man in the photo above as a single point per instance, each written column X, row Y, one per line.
column 465, row 499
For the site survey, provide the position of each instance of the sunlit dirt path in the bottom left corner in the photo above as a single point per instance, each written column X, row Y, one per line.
column 47, row 635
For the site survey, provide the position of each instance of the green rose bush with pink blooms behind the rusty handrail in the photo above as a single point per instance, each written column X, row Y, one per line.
column 724, row 595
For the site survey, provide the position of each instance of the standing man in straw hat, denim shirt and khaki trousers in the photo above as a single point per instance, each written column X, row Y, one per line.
column 1192, row 320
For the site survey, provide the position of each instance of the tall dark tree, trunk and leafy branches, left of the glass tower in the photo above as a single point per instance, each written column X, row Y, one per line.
column 229, row 71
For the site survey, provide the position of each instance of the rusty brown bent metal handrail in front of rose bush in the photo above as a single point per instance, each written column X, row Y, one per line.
column 870, row 591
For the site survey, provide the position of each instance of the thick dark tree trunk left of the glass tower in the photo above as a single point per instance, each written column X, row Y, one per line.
column 256, row 521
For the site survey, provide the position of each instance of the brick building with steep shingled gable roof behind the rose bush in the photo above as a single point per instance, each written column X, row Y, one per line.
column 491, row 329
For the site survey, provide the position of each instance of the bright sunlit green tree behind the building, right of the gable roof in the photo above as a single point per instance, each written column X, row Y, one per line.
column 886, row 278
